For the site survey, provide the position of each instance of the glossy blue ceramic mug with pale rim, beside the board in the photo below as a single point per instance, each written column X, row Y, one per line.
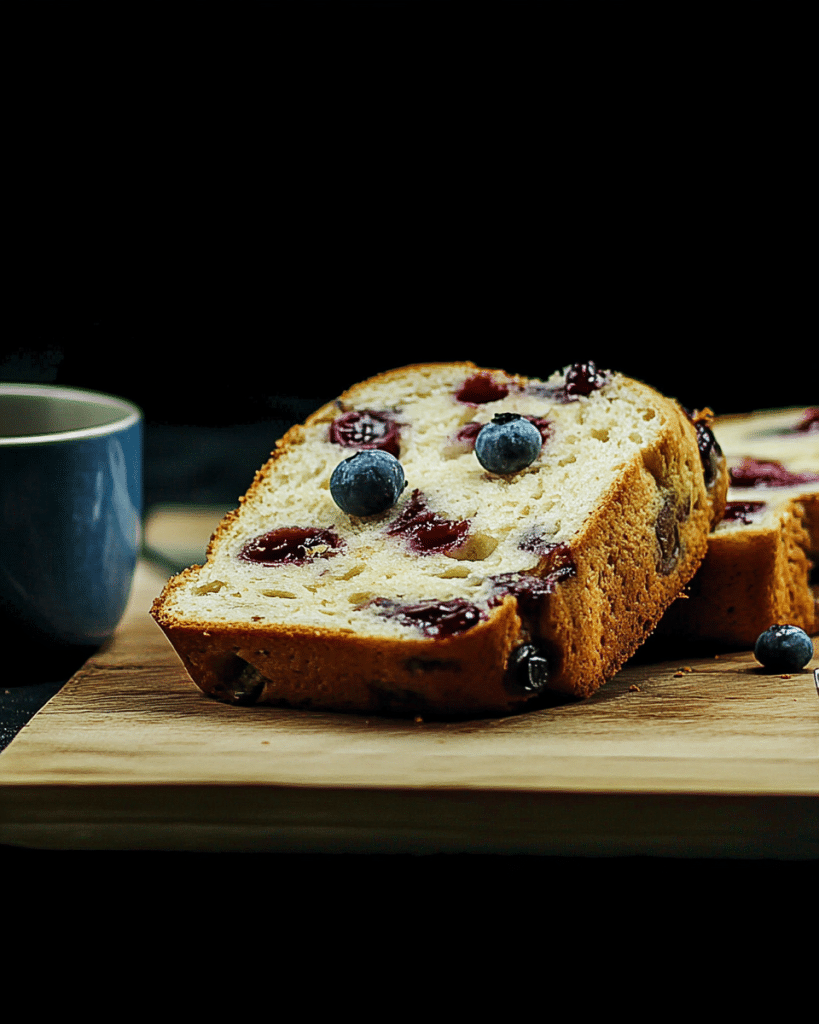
column 71, row 503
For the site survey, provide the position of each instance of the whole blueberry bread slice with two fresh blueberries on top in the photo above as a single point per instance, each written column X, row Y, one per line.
column 398, row 553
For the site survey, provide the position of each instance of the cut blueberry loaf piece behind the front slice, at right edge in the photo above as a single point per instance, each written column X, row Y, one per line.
column 758, row 569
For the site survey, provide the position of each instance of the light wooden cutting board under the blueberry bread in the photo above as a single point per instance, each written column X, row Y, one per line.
column 705, row 758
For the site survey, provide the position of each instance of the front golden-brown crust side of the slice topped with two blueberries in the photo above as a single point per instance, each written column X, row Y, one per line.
column 461, row 675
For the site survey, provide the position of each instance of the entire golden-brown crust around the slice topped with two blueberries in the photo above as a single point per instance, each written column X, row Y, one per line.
column 628, row 572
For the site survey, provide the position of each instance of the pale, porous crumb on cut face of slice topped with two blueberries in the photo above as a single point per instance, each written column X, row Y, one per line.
column 590, row 441
